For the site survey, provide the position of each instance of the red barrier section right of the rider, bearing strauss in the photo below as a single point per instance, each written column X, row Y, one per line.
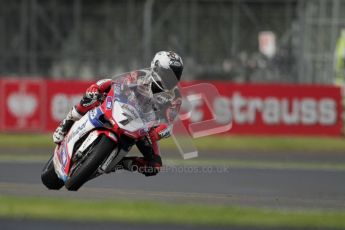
column 268, row 109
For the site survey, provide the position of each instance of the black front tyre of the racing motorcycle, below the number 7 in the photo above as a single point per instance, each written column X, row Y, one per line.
column 94, row 159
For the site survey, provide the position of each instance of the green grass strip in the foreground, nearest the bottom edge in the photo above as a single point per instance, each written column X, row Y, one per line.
column 155, row 212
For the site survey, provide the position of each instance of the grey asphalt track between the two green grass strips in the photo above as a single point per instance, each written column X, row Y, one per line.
column 279, row 189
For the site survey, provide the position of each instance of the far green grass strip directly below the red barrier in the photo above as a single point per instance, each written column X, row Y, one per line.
column 257, row 143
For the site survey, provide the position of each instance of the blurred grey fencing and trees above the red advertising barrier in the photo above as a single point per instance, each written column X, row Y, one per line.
column 243, row 41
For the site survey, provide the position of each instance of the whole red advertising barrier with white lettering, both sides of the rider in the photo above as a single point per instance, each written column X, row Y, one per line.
column 269, row 109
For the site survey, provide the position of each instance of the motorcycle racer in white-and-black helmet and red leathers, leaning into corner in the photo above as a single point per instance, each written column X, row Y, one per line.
column 151, row 162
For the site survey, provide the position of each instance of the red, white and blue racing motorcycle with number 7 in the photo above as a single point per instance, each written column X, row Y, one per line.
column 98, row 141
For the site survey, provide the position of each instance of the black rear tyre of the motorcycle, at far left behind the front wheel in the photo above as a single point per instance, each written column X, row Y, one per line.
column 49, row 177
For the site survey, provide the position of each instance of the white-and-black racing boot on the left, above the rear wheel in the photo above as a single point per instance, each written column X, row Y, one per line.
column 66, row 125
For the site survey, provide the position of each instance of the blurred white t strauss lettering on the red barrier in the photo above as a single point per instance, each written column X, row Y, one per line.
column 271, row 110
